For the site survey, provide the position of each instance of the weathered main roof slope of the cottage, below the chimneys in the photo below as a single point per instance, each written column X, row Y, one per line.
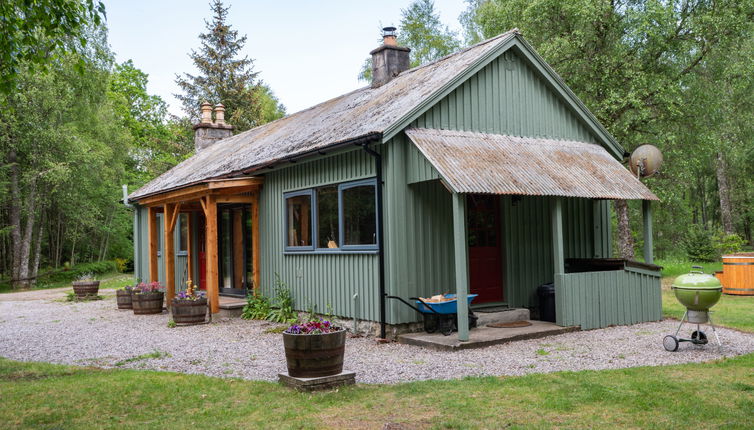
column 366, row 111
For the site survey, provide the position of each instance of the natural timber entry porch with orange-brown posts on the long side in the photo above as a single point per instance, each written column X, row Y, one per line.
column 221, row 228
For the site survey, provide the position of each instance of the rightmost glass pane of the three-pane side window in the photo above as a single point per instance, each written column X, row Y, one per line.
column 359, row 215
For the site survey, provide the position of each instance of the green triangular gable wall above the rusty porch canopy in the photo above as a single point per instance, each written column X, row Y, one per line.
column 506, row 97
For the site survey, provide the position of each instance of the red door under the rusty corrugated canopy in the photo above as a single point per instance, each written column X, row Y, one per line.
column 485, row 248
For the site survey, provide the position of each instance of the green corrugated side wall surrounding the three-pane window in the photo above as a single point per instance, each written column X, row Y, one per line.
column 319, row 280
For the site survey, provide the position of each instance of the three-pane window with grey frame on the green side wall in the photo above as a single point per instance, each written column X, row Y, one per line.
column 332, row 218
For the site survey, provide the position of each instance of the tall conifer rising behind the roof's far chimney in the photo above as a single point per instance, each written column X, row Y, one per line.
column 223, row 76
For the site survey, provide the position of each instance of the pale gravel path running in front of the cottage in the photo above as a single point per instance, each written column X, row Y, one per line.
column 95, row 333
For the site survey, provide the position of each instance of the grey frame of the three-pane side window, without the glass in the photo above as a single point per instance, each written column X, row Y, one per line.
column 314, row 226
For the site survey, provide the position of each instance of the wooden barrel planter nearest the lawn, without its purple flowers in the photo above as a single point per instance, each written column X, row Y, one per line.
column 314, row 355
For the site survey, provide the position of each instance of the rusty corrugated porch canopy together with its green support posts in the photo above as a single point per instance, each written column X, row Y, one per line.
column 482, row 163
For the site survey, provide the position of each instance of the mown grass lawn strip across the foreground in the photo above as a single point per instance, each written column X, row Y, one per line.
column 37, row 395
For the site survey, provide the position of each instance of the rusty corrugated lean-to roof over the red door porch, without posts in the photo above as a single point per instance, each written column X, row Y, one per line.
column 498, row 164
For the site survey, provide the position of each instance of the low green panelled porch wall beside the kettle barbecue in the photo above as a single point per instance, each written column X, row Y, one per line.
column 599, row 299
